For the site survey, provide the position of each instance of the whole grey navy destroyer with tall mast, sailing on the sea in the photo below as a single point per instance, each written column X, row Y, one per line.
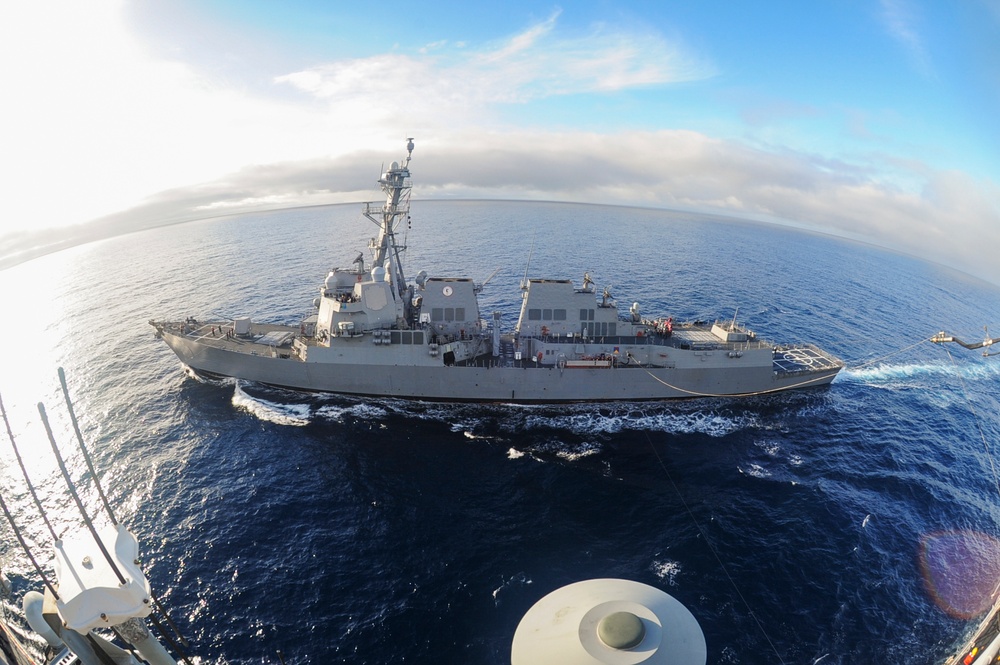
column 375, row 333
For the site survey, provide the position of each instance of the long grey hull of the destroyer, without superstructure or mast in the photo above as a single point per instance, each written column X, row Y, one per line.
column 523, row 383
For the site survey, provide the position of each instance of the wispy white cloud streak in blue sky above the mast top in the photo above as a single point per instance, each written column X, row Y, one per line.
column 533, row 64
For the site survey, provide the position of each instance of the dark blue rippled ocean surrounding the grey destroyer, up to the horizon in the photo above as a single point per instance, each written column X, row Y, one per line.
column 855, row 523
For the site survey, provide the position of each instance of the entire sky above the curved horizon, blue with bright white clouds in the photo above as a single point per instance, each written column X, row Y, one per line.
column 874, row 120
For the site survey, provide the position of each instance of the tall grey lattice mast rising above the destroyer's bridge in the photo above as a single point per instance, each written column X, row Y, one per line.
column 395, row 182
